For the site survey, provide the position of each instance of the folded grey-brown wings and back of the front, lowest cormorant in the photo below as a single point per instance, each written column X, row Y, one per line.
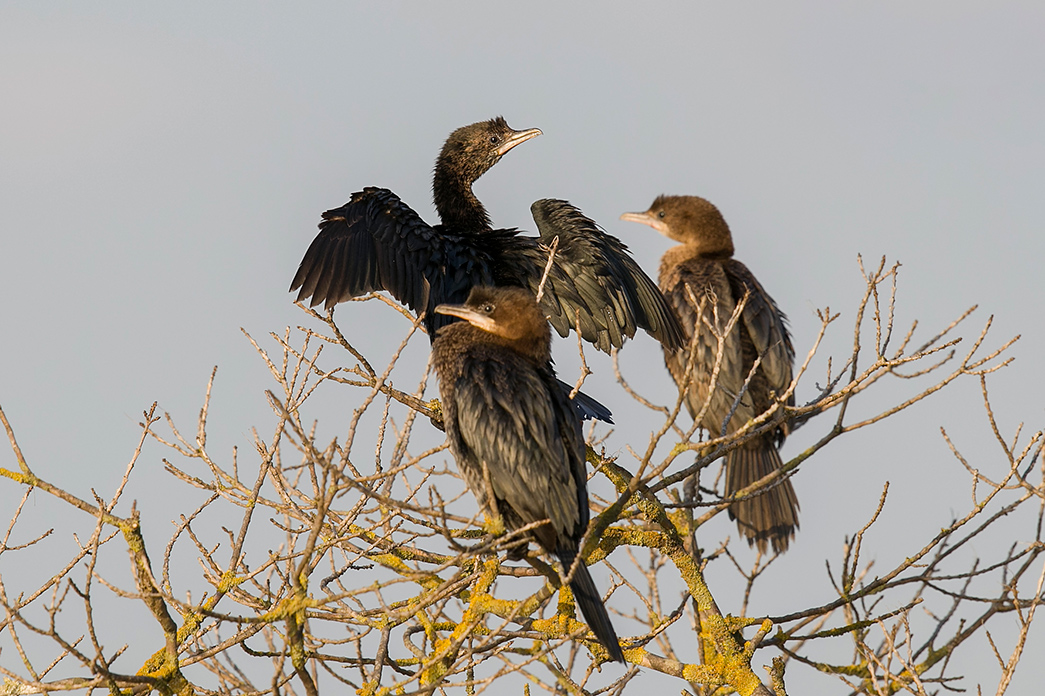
column 524, row 429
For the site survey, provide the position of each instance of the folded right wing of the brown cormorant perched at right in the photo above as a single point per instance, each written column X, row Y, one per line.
column 767, row 327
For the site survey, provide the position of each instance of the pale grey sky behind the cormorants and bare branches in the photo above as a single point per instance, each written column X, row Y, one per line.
column 162, row 170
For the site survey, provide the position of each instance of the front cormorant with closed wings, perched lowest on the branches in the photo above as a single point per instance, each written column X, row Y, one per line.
column 514, row 432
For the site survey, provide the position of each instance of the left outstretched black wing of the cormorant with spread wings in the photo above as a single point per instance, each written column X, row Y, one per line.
column 374, row 243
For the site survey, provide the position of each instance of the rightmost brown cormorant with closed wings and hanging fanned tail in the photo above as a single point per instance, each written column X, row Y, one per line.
column 704, row 265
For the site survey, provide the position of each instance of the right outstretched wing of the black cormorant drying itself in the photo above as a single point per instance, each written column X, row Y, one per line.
column 594, row 275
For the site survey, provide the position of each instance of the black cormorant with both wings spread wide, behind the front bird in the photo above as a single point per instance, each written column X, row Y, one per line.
column 378, row 243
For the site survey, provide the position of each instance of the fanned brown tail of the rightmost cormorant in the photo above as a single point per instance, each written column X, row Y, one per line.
column 771, row 517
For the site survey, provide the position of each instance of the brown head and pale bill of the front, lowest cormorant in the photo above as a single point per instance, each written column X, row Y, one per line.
column 510, row 316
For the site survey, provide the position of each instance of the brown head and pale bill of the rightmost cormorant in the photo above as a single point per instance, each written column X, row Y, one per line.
column 690, row 220
